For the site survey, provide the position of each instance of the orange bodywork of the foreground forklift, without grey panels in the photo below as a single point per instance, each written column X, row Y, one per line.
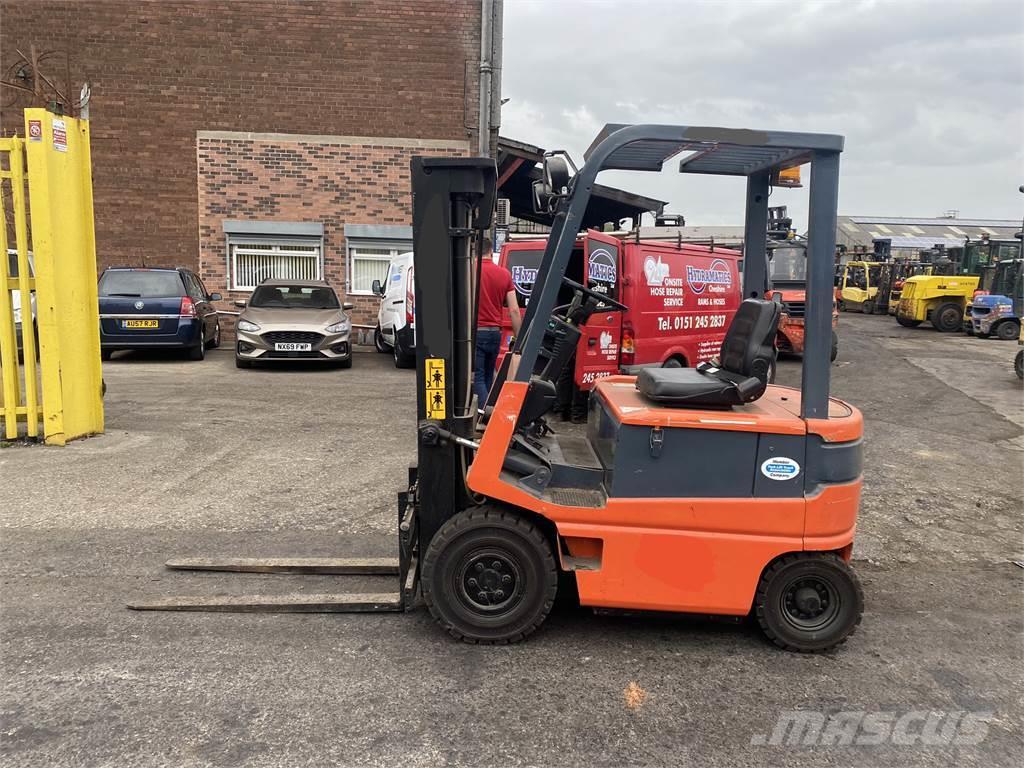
column 691, row 556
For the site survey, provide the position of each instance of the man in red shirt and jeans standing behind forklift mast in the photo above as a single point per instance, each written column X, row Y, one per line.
column 497, row 292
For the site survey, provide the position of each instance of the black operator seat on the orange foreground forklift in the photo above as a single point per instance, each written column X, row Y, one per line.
column 741, row 375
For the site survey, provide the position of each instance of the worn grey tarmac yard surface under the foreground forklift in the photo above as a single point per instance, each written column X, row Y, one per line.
column 203, row 459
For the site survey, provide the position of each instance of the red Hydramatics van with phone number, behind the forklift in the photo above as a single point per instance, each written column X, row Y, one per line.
column 681, row 300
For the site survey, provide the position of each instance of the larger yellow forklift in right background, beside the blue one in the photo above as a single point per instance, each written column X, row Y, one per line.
column 945, row 297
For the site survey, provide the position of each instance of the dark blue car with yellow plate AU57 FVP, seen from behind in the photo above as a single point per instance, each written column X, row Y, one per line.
column 143, row 309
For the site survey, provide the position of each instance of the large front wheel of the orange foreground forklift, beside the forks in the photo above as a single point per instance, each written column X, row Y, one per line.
column 506, row 550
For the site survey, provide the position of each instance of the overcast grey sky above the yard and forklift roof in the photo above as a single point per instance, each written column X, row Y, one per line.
column 928, row 95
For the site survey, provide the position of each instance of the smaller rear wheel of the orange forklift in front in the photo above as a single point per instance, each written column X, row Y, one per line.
column 809, row 603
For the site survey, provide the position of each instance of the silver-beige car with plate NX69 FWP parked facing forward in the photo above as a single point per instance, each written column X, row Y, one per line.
column 293, row 321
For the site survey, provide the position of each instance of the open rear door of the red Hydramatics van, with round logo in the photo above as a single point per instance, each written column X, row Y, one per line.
column 598, row 355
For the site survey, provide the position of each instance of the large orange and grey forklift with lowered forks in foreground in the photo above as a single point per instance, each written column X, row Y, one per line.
column 698, row 491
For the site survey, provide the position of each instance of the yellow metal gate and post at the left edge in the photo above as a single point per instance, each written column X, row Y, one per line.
column 50, row 269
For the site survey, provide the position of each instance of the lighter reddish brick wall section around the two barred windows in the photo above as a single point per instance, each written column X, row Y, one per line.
column 334, row 181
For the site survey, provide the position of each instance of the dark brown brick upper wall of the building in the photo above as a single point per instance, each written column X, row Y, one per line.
column 163, row 71
